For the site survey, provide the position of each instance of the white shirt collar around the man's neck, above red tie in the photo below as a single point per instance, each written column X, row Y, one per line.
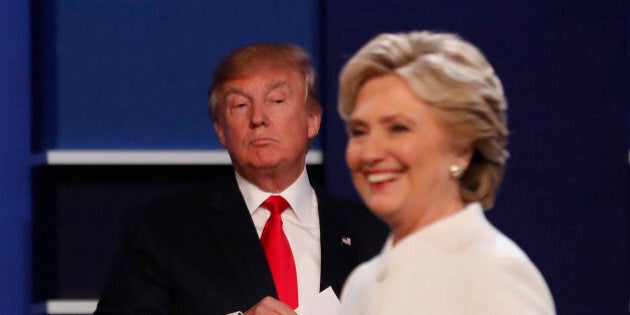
column 299, row 195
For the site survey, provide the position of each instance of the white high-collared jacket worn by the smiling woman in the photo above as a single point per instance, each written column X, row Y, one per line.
column 458, row 265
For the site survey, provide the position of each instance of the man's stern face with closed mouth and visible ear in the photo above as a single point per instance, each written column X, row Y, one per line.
column 264, row 123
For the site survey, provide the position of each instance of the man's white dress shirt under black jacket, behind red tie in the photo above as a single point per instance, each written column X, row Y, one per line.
column 301, row 227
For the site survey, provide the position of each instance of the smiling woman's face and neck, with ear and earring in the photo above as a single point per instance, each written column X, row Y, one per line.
column 399, row 154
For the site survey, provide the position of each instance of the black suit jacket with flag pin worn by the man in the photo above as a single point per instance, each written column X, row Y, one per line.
column 199, row 253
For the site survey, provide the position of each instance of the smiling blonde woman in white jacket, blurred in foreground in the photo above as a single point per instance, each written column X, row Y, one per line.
column 426, row 117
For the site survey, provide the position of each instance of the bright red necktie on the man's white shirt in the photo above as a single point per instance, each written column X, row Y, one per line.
column 278, row 252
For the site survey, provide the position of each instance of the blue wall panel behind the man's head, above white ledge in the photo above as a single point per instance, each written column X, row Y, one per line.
column 135, row 74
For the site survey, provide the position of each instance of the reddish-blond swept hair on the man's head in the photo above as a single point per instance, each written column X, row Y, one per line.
column 242, row 60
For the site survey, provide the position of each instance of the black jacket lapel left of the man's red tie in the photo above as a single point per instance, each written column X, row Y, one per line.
column 237, row 237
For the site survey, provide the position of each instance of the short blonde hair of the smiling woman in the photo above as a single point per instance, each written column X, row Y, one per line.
column 452, row 76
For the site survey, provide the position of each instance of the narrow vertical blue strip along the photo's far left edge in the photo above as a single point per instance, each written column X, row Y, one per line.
column 15, row 208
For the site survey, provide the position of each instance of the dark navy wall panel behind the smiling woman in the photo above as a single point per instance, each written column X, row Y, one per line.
column 564, row 199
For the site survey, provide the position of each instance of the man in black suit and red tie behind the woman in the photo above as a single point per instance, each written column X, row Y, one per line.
column 200, row 252
